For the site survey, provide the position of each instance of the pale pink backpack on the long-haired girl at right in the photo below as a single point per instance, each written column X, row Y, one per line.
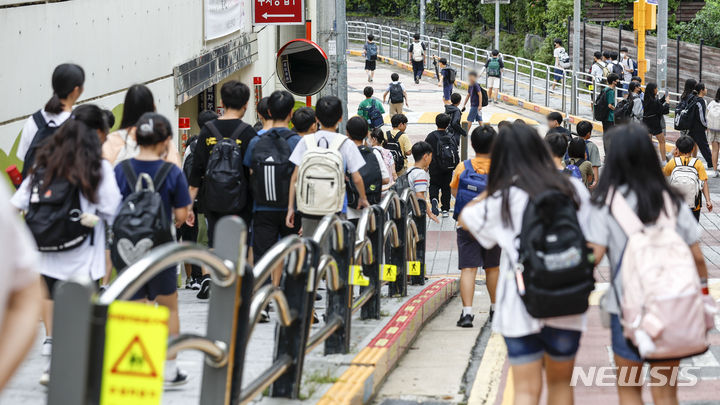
column 664, row 312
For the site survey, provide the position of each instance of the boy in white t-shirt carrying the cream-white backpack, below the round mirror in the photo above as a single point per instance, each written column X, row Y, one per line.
column 329, row 112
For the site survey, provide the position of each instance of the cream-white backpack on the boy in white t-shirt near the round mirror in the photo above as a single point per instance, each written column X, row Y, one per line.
column 320, row 188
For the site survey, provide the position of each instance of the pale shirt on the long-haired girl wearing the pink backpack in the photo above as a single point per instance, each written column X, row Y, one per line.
column 604, row 230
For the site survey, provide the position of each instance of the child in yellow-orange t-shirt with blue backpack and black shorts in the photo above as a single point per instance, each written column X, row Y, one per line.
column 471, row 255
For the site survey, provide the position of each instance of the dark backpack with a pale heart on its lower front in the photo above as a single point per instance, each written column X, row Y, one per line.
column 141, row 223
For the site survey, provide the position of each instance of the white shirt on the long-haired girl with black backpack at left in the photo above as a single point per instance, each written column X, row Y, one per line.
column 89, row 258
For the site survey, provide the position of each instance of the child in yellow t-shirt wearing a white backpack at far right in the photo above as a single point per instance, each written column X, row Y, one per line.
column 686, row 149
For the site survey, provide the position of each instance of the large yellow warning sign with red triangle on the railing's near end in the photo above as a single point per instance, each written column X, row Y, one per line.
column 135, row 348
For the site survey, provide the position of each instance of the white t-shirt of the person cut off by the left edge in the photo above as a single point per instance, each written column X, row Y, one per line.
column 19, row 264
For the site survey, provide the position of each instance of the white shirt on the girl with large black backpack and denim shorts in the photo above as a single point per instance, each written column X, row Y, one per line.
column 484, row 221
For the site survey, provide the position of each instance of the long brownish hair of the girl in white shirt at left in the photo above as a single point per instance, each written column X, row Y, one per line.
column 73, row 153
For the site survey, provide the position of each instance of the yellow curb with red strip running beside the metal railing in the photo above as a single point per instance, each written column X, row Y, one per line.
column 358, row 384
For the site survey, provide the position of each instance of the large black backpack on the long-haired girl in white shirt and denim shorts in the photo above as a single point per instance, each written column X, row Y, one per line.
column 556, row 264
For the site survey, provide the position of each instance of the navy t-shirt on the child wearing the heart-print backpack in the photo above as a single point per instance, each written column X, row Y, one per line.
column 174, row 190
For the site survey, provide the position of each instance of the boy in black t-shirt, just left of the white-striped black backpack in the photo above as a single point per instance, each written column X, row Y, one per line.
column 234, row 97
